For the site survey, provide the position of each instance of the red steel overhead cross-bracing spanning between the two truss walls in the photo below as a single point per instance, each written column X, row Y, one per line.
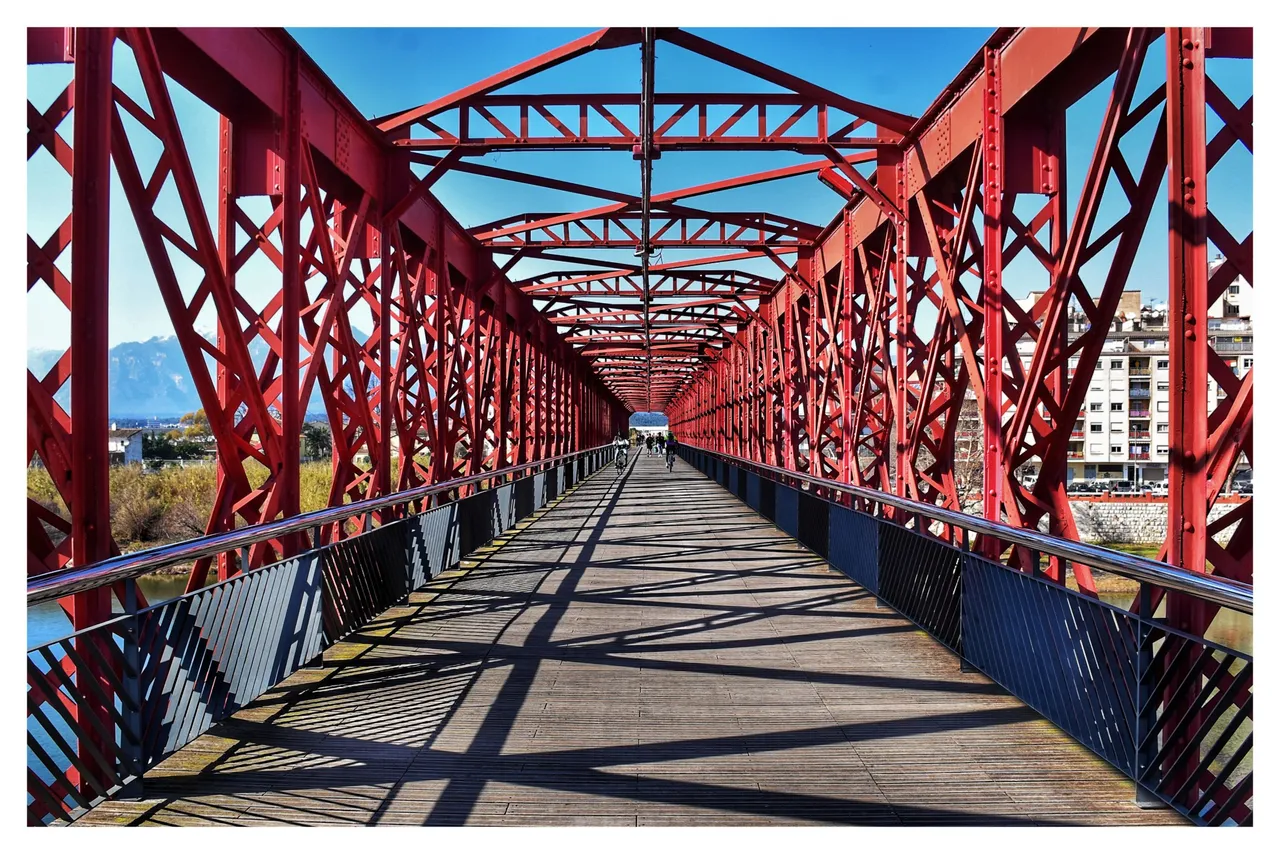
column 647, row 368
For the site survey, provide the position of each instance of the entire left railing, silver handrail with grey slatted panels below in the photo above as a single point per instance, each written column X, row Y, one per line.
column 111, row 701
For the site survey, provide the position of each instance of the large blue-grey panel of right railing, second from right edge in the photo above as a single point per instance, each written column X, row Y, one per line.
column 1069, row 657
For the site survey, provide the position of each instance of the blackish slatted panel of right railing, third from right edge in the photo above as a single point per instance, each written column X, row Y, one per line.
column 921, row 578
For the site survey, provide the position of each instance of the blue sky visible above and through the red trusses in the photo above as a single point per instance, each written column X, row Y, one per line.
column 385, row 71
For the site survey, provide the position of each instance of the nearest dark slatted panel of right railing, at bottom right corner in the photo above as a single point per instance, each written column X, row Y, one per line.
column 1196, row 727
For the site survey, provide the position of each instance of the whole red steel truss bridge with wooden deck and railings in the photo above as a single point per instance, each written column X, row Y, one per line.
column 820, row 407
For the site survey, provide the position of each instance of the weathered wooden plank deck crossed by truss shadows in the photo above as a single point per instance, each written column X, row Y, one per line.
column 646, row 652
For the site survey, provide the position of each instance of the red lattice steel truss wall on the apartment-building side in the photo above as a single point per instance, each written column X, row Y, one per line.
column 861, row 360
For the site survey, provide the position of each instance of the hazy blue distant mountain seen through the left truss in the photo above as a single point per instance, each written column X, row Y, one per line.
column 150, row 378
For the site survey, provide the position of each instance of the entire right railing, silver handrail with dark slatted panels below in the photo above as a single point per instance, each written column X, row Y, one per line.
column 1172, row 710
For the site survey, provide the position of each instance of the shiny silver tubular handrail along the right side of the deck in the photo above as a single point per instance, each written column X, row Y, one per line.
column 1224, row 592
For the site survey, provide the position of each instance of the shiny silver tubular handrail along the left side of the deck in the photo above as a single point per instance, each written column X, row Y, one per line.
column 60, row 583
